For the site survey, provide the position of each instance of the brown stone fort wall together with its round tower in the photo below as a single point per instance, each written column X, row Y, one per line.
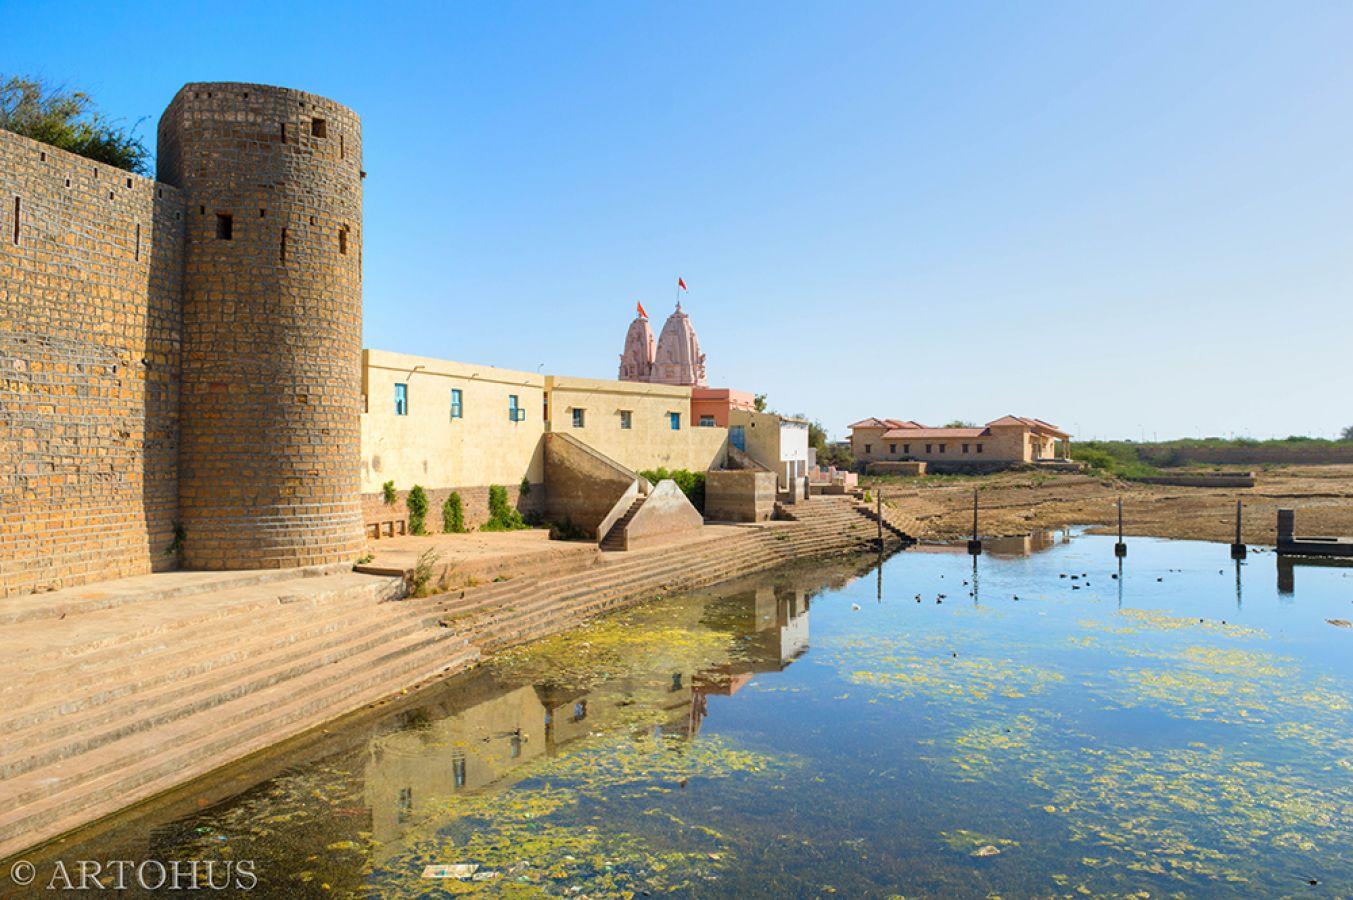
column 181, row 359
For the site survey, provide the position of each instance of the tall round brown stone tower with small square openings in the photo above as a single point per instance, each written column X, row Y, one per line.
column 269, row 457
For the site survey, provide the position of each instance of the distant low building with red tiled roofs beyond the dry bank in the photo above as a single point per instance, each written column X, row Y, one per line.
column 1011, row 441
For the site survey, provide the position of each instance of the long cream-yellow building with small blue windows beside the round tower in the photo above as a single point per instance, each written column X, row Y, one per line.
column 462, row 427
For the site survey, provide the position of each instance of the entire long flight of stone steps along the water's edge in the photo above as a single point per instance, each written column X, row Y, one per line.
column 105, row 704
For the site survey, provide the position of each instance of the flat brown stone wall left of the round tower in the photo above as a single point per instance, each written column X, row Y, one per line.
column 90, row 340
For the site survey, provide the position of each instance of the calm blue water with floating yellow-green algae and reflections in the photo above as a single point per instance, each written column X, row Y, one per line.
column 1180, row 730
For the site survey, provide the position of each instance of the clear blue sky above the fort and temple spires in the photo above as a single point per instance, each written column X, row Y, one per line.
column 1125, row 219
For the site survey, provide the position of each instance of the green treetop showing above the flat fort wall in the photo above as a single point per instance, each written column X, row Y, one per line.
column 67, row 120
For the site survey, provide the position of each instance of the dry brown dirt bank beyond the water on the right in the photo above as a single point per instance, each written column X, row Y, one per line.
column 1019, row 503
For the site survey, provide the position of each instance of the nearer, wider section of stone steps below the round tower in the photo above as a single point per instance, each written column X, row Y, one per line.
column 114, row 704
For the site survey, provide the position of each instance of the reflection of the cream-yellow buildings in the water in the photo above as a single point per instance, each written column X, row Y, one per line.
column 488, row 732
